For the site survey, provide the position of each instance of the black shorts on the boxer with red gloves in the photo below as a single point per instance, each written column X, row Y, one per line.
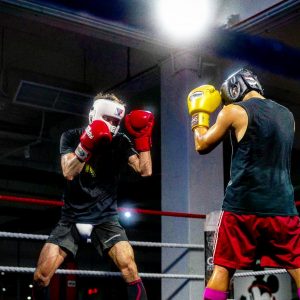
column 103, row 237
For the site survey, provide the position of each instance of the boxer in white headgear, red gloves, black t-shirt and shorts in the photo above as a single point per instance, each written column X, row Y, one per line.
column 90, row 198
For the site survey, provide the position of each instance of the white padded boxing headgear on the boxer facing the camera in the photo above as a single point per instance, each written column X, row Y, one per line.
column 108, row 111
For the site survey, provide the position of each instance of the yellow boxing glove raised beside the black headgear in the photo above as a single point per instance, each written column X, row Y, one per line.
column 202, row 101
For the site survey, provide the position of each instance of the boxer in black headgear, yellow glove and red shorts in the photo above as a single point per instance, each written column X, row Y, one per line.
column 259, row 194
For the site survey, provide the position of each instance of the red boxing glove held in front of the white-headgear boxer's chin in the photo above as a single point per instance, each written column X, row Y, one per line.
column 89, row 139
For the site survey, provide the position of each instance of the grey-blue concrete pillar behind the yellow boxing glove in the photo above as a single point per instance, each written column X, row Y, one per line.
column 190, row 182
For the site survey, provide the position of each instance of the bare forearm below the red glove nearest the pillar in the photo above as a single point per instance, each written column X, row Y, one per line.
column 141, row 163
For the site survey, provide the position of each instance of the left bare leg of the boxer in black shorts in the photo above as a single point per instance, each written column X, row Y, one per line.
column 51, row 257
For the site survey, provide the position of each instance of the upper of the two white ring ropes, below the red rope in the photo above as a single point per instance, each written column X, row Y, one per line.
column 6, row 234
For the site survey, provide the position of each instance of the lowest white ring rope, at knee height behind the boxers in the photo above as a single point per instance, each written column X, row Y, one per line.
column 102, row 273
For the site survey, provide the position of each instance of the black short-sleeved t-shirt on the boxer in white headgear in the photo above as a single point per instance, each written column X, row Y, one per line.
column 91, row 197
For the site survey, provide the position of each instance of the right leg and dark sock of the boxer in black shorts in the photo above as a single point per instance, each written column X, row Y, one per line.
column 123, row 256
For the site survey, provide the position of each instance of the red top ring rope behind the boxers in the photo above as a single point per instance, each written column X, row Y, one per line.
column 122, row 209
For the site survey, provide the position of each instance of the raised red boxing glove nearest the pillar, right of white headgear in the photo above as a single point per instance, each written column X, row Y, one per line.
column 139, row 124
